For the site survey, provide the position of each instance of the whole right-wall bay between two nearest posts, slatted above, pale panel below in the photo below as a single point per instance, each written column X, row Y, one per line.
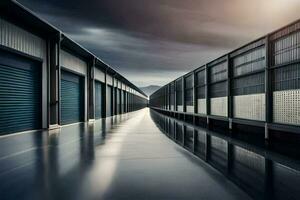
column 248, row 87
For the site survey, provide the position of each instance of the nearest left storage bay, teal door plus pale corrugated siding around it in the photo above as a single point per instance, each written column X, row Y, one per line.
column 23, row 100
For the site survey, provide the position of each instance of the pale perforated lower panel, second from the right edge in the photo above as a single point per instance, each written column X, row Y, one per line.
column 249, row 107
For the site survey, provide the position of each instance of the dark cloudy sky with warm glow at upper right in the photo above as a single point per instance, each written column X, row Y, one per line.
column 155, row 41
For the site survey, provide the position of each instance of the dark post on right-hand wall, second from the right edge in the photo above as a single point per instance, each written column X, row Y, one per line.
column 229, row 95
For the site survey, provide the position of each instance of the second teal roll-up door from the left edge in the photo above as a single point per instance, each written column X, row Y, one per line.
column 72, row 98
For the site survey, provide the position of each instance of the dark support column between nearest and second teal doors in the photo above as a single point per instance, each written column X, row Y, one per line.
column 54, row 82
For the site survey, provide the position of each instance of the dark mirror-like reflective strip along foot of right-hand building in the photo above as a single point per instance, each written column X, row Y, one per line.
column 261, row 172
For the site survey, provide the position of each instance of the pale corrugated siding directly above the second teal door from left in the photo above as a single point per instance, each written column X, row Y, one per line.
column 72, row 63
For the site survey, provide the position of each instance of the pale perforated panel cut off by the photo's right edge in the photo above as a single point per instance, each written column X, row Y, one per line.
column 286, row 107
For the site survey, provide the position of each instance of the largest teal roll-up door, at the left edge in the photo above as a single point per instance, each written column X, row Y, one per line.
column 20, row 94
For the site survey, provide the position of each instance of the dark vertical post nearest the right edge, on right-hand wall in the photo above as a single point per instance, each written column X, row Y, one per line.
column 268, row 88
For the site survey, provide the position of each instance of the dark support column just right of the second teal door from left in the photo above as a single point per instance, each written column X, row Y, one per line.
column 91, row 89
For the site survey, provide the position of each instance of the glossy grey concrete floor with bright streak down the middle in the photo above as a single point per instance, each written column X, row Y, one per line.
column 125, row 157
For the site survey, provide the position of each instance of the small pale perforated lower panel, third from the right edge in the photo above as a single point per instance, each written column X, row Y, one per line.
column 218, row 106
